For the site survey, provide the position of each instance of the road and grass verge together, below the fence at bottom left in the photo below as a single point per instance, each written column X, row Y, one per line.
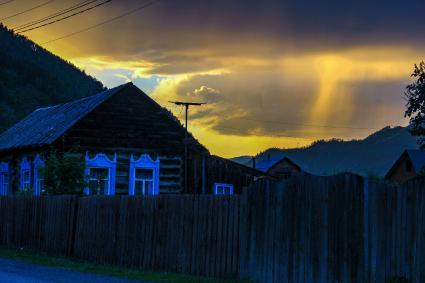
column 22, row 265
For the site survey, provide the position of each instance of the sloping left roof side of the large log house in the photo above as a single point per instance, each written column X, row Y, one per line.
column 45, row 125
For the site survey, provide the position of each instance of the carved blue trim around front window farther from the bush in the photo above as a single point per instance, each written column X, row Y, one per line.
column 144, row 162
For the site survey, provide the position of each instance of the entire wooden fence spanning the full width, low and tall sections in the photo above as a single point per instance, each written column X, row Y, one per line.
column 307, row 229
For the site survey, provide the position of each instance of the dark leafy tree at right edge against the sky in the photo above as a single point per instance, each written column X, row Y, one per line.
column 415, row 94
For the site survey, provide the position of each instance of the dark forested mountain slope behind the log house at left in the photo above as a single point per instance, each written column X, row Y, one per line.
column 31, row 77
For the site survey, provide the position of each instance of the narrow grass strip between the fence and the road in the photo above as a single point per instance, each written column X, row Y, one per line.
column 111, row 270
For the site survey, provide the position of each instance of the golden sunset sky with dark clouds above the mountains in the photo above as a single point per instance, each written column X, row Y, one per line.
column 273, row 73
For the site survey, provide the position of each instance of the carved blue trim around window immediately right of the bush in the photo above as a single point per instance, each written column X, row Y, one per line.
column 102, row 161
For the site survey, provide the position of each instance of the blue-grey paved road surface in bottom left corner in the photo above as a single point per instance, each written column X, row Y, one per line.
column 13, row 271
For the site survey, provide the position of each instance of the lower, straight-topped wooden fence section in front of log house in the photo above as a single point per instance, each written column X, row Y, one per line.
column 183, row 234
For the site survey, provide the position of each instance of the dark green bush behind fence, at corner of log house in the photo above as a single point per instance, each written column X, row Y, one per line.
column 64, row 174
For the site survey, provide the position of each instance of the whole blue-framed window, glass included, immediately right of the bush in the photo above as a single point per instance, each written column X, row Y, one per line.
column 100, row 172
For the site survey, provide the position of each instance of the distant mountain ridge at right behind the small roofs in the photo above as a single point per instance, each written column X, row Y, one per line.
column 372, row 155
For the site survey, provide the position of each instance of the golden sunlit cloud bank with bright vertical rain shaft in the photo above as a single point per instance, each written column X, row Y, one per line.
column 299, row 94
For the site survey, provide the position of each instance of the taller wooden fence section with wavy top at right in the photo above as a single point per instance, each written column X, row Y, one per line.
column 333, row 229
